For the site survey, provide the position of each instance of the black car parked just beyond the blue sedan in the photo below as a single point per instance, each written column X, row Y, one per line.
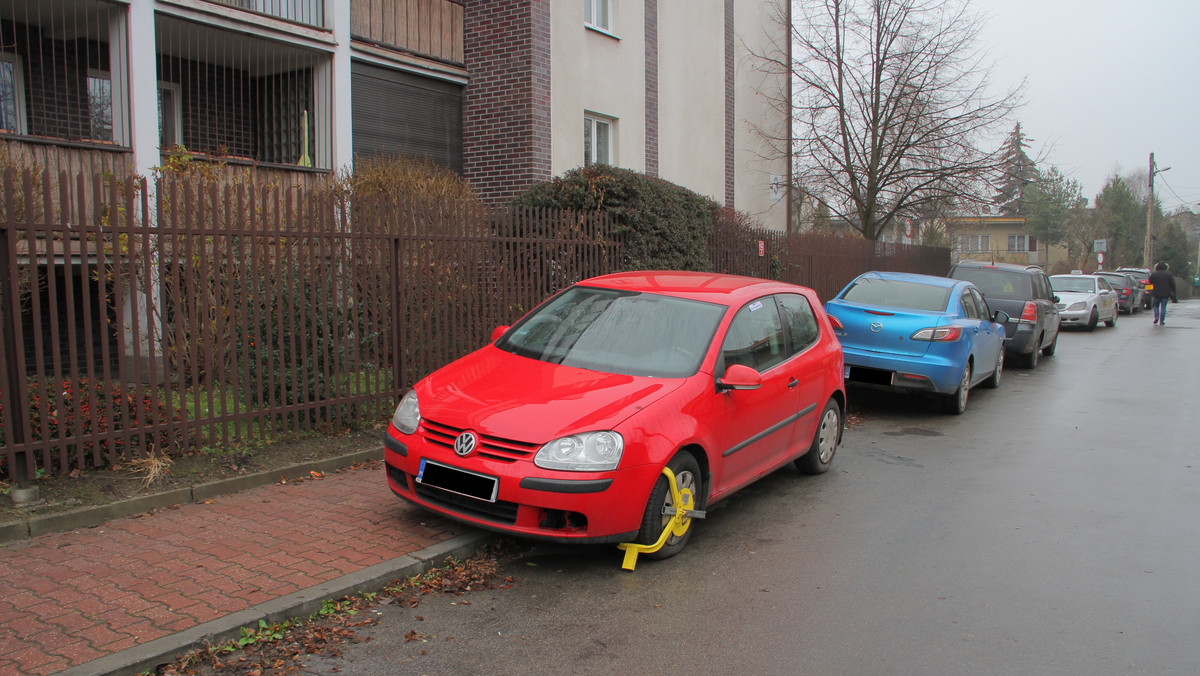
column 1024, row 294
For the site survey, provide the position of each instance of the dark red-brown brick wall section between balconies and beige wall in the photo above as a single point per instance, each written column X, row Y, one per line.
column 507, row 110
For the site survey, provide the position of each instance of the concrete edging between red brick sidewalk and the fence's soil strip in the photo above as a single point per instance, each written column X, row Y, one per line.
column 89, row 517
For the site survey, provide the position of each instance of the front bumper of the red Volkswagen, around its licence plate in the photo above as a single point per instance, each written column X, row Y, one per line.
column 575, row 507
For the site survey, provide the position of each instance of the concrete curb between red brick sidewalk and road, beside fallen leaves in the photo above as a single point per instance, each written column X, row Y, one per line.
column 304, row 603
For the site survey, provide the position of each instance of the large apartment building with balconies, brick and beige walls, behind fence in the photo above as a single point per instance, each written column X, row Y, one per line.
column 506, row 93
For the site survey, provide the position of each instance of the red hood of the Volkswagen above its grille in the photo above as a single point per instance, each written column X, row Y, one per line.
column 501, row 394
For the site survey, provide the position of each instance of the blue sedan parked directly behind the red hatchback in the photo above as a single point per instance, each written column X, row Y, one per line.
column 920, row 333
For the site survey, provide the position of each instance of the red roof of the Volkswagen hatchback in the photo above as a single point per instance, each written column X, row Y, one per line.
column 712, row 288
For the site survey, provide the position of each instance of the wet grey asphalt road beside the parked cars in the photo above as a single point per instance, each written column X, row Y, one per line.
column 1053, row 529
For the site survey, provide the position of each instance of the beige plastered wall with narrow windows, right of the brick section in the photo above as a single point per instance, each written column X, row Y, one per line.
column 604, row 74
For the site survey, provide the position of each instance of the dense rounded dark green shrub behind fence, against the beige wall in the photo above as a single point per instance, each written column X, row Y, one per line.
column 663, row 226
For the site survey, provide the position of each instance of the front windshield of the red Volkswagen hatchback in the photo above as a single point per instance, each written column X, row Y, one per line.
column 617, row 332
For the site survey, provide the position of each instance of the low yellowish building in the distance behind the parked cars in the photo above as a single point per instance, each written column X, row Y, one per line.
column 1001, row 240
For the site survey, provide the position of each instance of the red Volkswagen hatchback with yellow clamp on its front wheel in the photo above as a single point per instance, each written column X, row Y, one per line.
column 560, row 429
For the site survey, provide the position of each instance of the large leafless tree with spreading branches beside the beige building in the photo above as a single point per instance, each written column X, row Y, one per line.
column 891, row 109
